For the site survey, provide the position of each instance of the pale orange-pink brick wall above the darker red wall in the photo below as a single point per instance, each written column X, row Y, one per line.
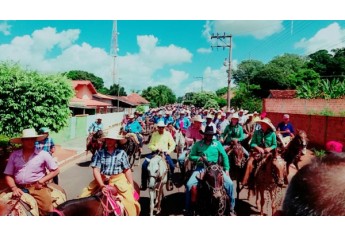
column 304, row 106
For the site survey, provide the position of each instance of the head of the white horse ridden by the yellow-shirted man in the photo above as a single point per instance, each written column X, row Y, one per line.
column 157, row 168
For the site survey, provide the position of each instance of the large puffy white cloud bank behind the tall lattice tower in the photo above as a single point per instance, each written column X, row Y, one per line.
column 137, row 71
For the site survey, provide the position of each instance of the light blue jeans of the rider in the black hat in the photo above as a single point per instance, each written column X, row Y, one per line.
column 228, row 185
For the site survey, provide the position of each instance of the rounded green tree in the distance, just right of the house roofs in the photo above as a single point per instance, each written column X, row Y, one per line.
column 159, row 95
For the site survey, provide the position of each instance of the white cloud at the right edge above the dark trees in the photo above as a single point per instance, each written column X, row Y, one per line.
column 327, row 38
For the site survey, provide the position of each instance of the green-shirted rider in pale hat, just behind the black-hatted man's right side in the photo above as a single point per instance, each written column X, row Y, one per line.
column 233, row 134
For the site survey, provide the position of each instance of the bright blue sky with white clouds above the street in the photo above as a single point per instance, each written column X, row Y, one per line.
column 153, row 52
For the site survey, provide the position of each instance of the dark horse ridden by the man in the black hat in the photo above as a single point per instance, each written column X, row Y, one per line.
column 209, row 197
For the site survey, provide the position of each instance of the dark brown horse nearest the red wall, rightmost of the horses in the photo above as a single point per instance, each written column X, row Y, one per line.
column 294, row 149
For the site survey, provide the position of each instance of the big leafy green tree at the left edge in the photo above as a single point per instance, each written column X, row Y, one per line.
column 30, row 99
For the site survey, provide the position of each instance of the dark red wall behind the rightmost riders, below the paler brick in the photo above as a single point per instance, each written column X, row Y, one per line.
column 320, row 129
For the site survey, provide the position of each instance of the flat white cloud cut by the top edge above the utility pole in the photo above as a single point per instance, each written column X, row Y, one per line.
column 256, row 28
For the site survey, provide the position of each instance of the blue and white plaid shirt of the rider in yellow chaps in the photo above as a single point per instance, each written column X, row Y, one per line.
column 111, row 163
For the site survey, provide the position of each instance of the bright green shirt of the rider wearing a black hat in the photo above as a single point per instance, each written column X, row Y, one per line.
column 211, row 151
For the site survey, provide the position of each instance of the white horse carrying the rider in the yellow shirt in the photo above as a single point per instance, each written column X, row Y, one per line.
column 158, row 176
